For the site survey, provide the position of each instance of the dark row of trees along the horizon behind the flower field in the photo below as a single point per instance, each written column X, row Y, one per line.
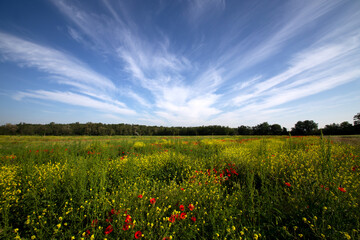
column 307, row 127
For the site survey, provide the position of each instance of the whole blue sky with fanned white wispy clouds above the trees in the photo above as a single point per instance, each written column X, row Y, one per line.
column 180, row 62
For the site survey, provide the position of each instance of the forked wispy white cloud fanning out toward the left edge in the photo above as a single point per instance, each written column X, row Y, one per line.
column 63, row 69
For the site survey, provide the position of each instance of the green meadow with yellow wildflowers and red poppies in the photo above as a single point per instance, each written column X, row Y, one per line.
column 178, row 188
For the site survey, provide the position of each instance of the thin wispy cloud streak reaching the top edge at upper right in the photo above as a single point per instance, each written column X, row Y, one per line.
column 268, row 40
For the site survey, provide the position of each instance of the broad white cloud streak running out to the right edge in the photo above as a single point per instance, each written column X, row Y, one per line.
column 321, row 67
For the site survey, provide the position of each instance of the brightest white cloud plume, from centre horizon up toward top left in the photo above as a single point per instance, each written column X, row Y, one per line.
column 151, row 62
